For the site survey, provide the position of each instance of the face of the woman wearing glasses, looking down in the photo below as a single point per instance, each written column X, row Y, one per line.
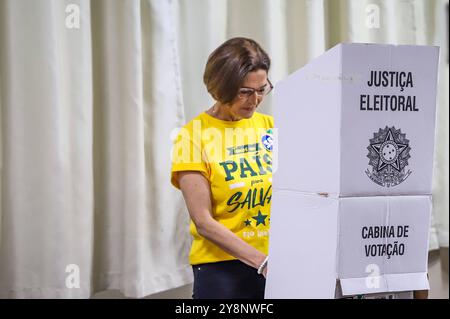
column 250, row 95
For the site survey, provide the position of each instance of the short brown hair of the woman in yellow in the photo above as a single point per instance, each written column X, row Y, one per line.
column 228, row 65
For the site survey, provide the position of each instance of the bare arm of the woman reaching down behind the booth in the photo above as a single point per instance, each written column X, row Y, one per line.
column 197, row 195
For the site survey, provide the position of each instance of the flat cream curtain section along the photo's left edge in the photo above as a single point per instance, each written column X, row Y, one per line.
column 47, row 197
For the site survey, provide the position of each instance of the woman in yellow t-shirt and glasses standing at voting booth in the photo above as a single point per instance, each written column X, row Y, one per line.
column 222, row 164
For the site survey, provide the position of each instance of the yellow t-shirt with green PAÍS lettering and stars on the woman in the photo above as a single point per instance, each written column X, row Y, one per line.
column 236, row 158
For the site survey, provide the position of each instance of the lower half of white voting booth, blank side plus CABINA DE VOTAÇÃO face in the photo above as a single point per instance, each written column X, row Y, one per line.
column 315, row 241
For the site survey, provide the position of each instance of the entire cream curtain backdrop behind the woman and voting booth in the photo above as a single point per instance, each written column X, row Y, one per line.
column 87, row 112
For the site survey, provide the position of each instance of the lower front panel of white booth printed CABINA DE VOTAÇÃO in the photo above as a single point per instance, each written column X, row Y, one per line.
column 404, row 250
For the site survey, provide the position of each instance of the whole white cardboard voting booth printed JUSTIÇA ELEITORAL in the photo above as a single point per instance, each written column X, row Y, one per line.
column 358, row 124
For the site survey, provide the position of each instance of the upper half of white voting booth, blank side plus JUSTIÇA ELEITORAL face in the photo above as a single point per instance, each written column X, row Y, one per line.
column 324, row 137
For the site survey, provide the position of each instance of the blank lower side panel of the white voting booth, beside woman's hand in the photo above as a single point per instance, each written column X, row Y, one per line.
column 302, row 247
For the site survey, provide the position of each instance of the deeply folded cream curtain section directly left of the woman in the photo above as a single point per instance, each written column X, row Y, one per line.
column 141, row 228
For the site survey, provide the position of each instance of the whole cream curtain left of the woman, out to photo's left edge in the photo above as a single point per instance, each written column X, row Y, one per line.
column 86, row 117
